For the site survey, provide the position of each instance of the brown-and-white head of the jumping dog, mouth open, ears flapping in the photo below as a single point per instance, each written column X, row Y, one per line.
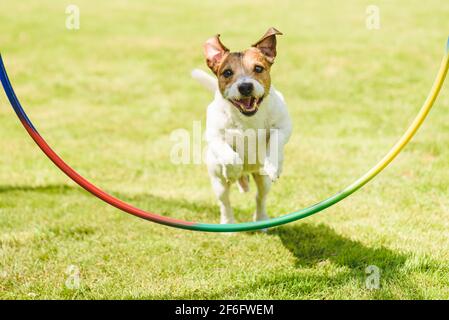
column 243, row 77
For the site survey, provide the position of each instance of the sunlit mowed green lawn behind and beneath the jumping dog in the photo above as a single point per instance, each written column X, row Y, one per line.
column 107, row 97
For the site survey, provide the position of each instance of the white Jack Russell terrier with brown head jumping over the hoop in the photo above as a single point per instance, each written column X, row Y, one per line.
column 247, row 124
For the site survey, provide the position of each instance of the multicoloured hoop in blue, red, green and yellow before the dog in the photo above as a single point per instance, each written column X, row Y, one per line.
column 249, row 226
